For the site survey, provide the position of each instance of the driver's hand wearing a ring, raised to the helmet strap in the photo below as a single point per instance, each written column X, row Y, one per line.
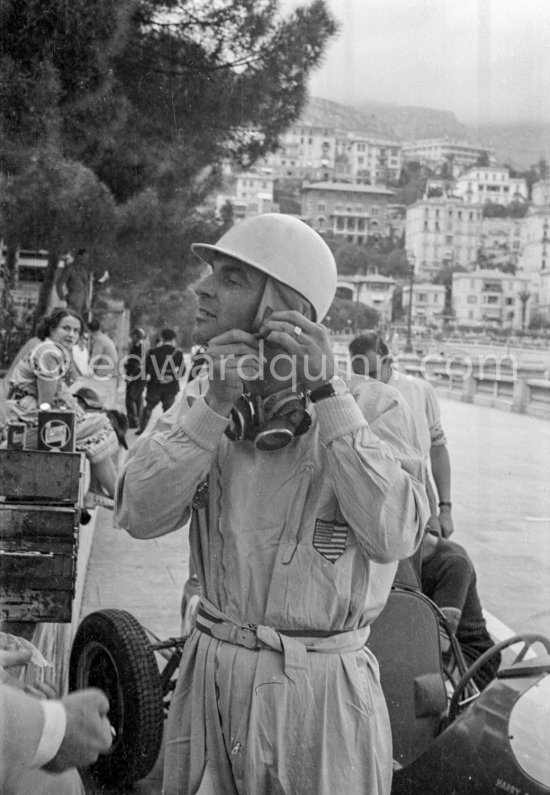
column 308, row 344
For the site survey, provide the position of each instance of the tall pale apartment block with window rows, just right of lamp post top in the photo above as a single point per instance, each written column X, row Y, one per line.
column 442, row 231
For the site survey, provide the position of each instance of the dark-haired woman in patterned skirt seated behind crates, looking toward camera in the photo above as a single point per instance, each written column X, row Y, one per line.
column 41, row 377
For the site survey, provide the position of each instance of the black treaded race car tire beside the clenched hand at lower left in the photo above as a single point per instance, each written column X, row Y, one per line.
column 111, row 651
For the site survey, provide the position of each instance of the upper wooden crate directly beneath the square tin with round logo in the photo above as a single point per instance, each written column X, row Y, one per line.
column 41, row 476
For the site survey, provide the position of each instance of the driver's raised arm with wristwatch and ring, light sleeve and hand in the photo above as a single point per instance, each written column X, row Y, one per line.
column 384, row 505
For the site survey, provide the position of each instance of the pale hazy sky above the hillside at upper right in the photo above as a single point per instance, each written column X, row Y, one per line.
column 485, row 60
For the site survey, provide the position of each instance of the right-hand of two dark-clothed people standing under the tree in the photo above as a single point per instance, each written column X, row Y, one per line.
column 163, row 367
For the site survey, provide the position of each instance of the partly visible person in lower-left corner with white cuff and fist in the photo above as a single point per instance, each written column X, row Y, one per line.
column 42, row 742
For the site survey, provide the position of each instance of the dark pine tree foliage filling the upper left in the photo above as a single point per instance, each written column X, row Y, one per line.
column 141, row 102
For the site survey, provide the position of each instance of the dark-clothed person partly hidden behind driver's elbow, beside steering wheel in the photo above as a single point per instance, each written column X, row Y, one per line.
column 448, row 578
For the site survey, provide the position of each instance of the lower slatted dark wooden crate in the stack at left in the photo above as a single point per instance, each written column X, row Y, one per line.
column 38, row 546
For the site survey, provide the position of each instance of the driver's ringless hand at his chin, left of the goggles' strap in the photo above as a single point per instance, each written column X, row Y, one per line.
column 232, row 358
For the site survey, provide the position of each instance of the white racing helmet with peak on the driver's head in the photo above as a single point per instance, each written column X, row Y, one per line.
column 284, row 248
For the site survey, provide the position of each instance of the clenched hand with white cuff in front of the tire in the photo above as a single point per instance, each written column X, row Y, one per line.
column 88, row 731
